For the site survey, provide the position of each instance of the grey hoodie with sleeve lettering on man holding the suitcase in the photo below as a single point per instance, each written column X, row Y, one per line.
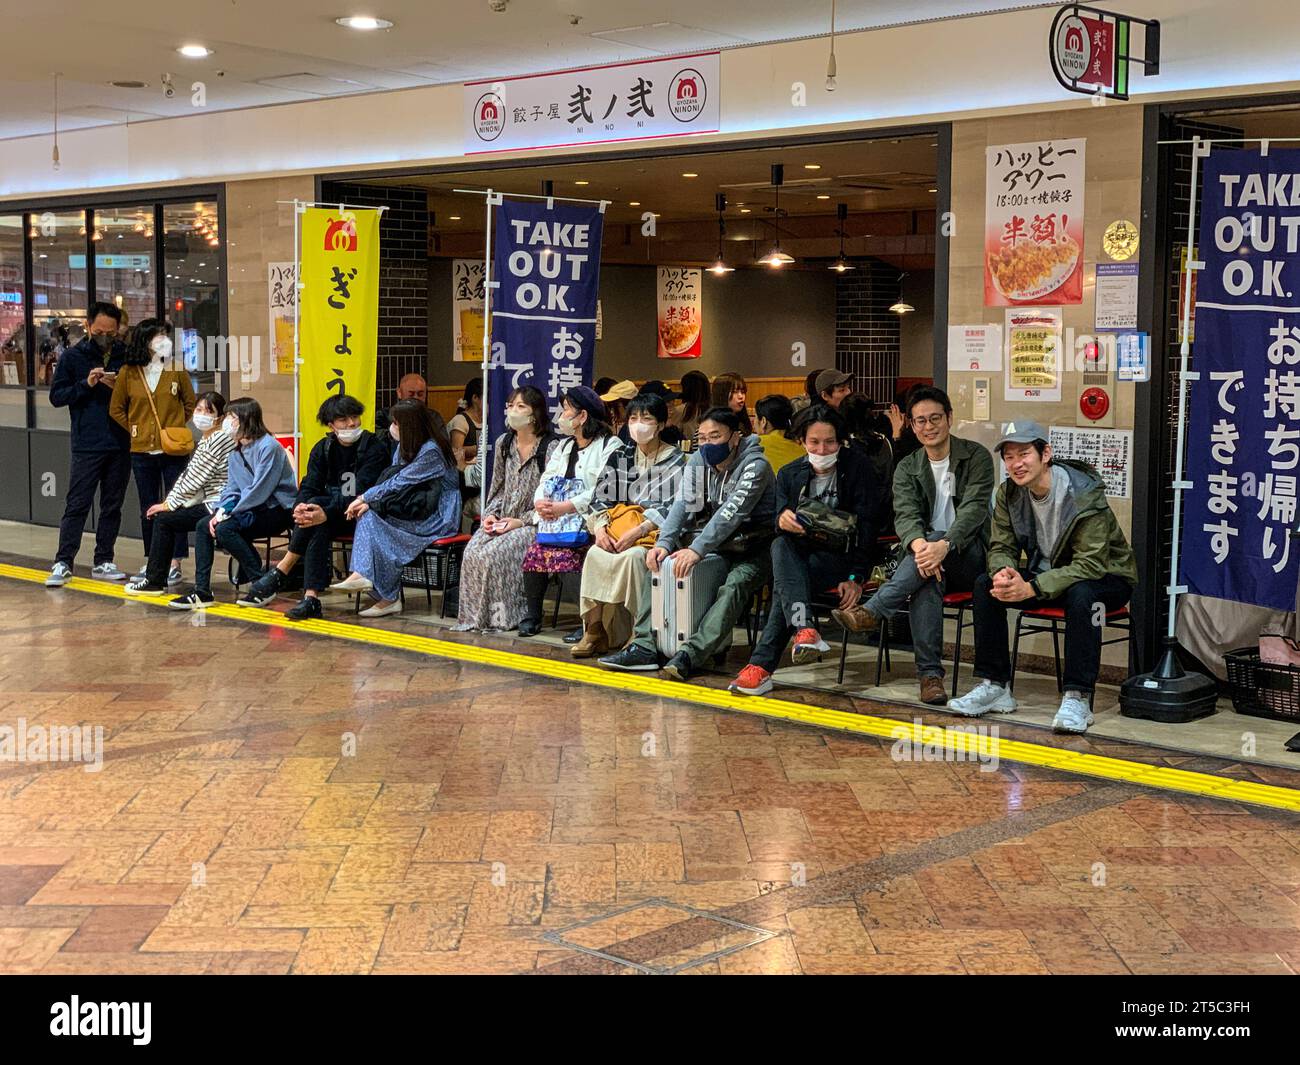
column 713, row 508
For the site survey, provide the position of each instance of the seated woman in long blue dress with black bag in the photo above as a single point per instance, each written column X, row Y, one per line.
column 384, row 543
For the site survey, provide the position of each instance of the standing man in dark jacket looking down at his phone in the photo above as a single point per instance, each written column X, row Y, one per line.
column 102, row 451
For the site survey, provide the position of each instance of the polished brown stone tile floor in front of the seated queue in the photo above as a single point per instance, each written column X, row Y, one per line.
column 275, row 802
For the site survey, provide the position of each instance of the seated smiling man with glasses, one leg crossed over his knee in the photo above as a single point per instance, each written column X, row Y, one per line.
column 942, row 516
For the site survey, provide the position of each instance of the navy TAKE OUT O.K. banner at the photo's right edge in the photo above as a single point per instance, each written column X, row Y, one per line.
column 1243, row 441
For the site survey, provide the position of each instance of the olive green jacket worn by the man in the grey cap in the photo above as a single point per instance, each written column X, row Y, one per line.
column 1091, row 543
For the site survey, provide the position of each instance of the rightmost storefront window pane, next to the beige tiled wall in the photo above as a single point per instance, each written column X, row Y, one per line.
column 192, row 254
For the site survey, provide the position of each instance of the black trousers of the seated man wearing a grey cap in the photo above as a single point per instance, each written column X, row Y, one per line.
column 1082, row 627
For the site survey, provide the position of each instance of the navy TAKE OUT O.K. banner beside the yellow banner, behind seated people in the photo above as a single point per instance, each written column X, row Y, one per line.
column 545, row 275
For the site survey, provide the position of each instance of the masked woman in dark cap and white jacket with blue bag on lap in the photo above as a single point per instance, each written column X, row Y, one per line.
column 566, row 496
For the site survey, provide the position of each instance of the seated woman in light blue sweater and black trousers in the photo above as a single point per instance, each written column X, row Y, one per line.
column 257, row 503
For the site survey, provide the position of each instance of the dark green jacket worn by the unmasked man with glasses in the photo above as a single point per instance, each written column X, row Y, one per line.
column 973, row 486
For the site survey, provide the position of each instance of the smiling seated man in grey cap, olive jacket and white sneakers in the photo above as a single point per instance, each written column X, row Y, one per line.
column 1055, row 514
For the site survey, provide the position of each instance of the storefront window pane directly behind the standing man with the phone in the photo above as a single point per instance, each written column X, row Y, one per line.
column 58, row 285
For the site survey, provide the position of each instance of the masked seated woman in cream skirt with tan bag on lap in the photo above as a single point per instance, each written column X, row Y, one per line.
column 632, row 500
